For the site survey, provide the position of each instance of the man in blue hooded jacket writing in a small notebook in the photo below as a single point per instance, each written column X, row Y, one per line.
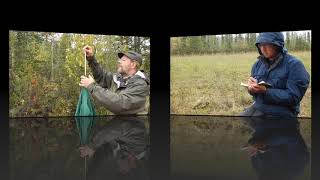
column 287, row 75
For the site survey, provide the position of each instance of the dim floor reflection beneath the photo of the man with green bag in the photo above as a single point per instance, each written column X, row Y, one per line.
column 113, row 147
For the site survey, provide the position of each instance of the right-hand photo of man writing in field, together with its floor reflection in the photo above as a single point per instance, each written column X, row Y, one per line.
column 240, row 106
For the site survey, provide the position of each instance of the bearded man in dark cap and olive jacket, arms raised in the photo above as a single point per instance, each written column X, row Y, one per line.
column 124, row 92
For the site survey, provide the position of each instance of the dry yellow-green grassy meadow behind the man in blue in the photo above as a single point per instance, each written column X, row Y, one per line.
column 210, row 84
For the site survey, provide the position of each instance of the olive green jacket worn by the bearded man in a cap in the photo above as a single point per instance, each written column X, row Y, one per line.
column 118, row 95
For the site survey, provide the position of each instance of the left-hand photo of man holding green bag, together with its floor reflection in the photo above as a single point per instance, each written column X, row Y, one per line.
column 78, row 105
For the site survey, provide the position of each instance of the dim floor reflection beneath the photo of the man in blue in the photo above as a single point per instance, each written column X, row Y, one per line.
column 226, row 148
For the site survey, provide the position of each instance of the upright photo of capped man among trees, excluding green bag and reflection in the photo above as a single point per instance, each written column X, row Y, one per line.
column 48, row 70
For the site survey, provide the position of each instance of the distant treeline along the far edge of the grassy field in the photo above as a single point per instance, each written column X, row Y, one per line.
column 234, row 43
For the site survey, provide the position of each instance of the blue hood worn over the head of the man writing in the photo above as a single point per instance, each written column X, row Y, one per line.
column 275, row 38
